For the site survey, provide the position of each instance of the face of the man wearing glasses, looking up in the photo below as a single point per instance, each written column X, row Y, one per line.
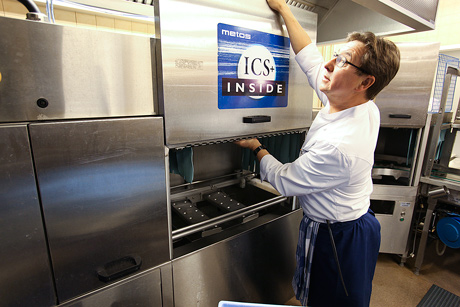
column 340, row 82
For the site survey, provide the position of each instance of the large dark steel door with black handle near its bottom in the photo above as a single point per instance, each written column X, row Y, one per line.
column 103, row 190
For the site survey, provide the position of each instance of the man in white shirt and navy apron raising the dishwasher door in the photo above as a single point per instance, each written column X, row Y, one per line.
column 339, row 239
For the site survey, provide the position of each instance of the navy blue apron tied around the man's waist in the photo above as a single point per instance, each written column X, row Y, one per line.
column 357, row 244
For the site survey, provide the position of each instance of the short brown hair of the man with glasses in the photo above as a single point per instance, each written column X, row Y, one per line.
column 381, row 59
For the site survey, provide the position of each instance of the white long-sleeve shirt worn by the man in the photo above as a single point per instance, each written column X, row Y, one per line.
column 332, row 177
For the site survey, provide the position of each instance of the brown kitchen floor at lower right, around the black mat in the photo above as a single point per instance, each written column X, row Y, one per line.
column 395, row 285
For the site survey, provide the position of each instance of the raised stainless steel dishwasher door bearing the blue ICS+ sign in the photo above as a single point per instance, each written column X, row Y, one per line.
column 228, row 70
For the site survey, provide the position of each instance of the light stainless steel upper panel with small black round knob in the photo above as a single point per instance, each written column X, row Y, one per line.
column 53, row 72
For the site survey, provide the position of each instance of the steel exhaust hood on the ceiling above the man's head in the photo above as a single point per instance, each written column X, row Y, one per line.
column 337, row 18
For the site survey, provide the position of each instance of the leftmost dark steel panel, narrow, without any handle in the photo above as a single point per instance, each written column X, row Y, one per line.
column 25, row 271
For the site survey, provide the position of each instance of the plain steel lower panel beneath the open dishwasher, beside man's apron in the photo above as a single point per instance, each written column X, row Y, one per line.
column 253, row 266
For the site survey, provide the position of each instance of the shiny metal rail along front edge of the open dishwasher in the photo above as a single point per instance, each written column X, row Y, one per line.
column 188, row 230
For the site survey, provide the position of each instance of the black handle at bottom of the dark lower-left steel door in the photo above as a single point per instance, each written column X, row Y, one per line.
column 119, row 268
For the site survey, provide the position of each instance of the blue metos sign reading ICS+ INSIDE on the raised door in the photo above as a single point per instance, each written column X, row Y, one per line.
column 253, row 68
